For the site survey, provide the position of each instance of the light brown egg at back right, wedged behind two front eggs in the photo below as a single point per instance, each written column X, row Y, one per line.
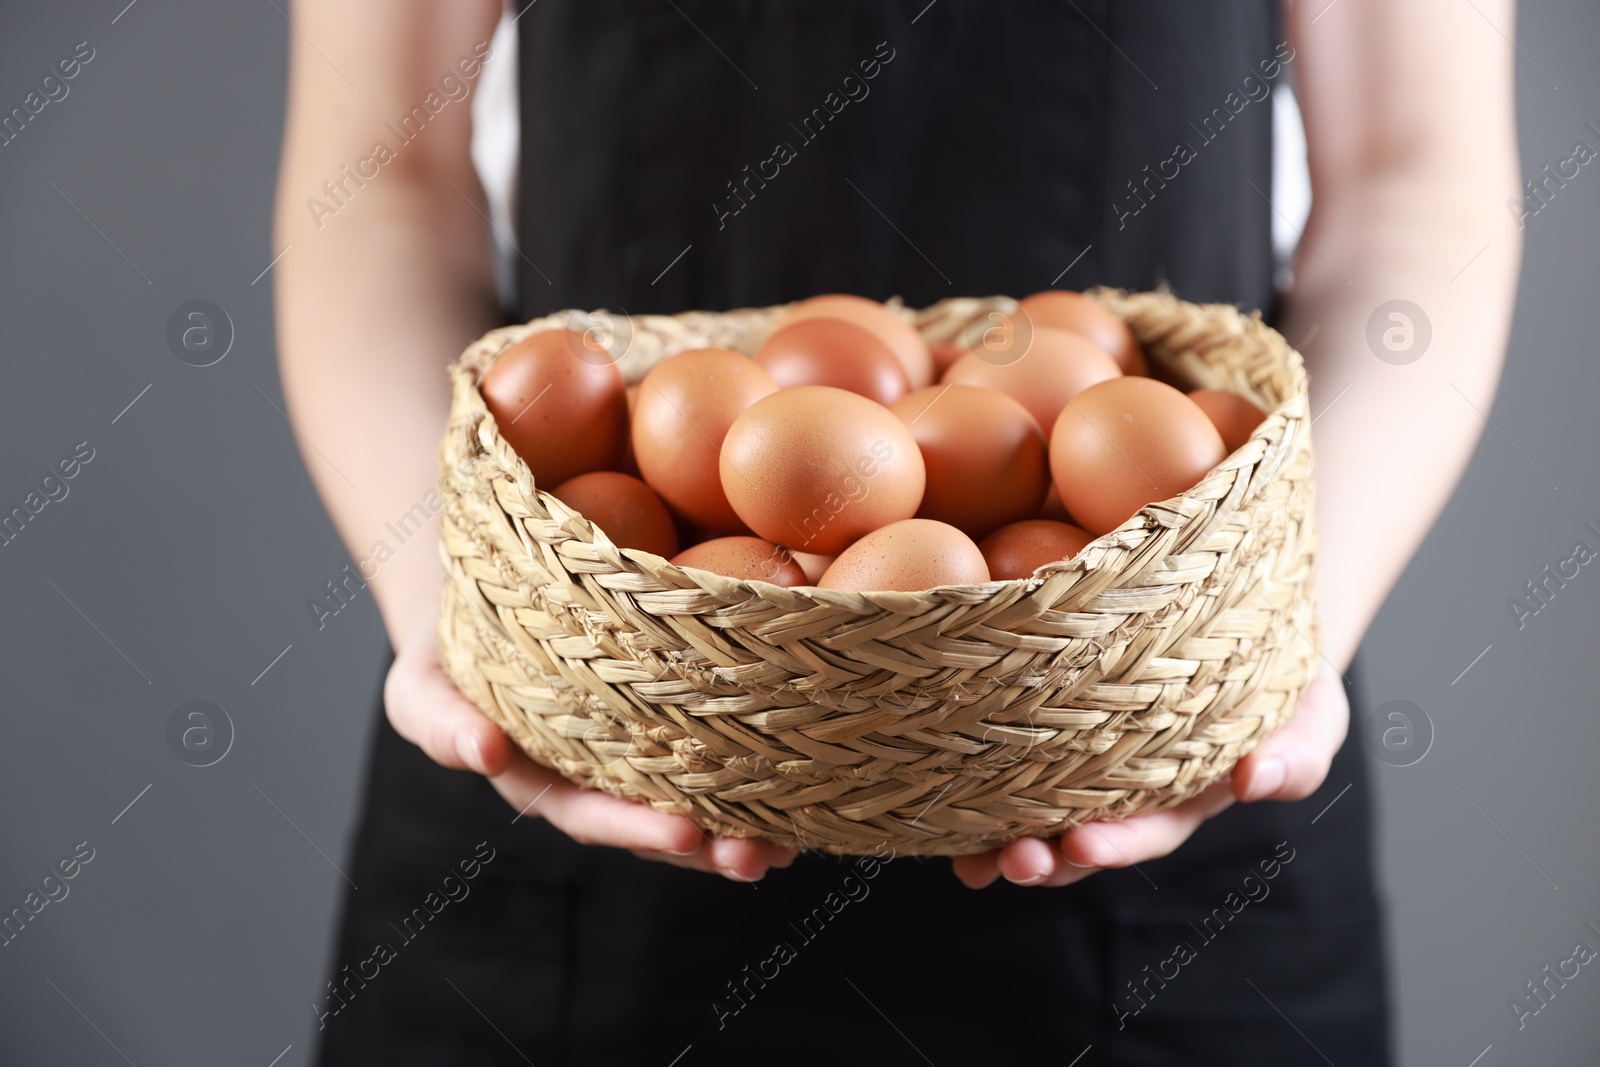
column 1055, row 367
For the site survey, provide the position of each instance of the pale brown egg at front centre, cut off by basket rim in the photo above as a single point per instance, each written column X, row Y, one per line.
column 908, row 556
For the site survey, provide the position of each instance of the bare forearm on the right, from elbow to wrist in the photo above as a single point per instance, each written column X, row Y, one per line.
column 1394, row 438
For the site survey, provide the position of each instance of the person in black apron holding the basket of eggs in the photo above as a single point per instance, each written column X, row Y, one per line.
column 958, row 148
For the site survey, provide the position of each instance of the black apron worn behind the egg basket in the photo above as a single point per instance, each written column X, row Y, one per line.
column 745, row 153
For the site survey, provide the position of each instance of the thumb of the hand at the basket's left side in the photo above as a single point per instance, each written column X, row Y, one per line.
column 426, row 709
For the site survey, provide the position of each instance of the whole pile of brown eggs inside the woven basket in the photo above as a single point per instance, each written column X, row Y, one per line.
column 834, row 460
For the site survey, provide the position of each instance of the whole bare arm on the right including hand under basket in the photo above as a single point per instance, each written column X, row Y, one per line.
column 1414, row 154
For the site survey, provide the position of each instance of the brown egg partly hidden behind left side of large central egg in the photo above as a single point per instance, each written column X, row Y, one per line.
column 686, row 407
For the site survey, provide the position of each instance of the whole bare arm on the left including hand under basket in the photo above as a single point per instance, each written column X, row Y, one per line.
column 386, row 276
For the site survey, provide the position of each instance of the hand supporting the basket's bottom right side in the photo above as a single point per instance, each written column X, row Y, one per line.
column 1289, row 765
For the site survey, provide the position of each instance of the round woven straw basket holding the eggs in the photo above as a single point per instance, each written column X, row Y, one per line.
column 937, row 722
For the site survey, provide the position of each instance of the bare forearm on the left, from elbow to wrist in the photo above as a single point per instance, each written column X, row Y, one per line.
column 370, row 311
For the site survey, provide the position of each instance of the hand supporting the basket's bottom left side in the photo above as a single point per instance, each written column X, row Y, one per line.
column 430, row 713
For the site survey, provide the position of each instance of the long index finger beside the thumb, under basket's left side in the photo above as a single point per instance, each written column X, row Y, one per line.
column 594, row 818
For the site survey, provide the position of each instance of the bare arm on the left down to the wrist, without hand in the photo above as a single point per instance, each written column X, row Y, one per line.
column 386, row 278
